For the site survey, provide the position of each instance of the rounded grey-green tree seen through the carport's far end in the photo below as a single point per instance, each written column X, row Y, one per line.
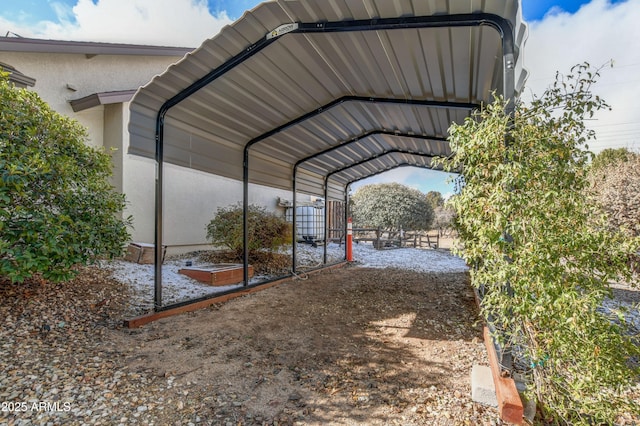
column 391, row 206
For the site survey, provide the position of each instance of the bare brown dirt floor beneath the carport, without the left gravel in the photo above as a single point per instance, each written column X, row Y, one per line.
column 350, row 346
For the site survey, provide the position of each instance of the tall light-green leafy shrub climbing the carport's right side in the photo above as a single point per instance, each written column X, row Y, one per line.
column 542, row 256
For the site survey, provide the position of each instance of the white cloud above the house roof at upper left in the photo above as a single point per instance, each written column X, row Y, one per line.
column 184, row 23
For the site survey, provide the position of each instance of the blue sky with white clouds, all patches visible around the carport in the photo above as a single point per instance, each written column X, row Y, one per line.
column 562, row 33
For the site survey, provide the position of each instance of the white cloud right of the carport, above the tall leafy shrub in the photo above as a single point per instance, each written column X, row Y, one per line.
column 599, row 32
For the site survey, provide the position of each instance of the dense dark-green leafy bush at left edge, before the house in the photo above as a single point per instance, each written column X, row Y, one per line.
column 57, row 208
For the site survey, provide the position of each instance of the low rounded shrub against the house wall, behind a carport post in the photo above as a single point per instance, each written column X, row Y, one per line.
column 266, row 230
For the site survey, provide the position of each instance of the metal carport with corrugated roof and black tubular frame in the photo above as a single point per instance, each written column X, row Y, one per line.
column 310, row 96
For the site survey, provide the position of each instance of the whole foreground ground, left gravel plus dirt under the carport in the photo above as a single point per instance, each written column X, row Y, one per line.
column 351, row 346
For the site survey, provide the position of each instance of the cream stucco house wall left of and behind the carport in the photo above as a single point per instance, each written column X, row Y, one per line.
column 68, row 72
